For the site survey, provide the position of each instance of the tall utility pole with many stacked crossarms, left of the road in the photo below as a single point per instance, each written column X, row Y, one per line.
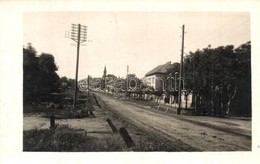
column 78, row 34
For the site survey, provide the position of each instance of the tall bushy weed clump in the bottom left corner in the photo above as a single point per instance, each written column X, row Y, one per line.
column 63, row 138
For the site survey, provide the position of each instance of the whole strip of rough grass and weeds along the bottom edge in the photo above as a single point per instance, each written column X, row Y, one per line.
column 67, row 139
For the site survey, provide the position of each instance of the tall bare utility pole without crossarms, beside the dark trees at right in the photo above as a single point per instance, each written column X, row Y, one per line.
column 181, row 71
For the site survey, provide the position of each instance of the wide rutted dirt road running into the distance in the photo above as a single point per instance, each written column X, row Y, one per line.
column 184, row 132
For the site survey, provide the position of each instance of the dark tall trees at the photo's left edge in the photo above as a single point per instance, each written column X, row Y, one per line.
column 39, row 75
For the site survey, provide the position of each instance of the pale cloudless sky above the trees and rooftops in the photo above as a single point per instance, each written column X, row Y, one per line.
column 141, row 40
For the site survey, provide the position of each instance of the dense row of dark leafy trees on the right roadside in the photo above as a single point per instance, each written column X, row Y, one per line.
column 220, row 79
